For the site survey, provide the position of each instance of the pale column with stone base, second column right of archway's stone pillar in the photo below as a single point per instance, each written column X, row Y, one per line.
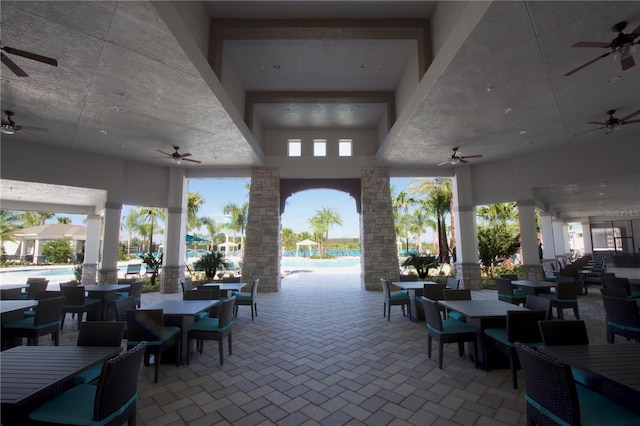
column 531, row 267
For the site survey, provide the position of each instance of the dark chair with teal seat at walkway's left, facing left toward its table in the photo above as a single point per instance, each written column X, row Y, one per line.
column 213, row 329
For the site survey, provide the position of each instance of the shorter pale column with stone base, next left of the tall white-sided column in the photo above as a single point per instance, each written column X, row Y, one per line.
column 110, row 242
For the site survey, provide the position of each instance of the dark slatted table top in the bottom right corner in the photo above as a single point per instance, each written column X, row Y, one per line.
column 618, row 362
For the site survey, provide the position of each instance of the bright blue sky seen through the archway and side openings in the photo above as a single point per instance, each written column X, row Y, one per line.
column 299, row 209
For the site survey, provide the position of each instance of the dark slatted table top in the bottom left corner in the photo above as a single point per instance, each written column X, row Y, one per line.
column 27, row 371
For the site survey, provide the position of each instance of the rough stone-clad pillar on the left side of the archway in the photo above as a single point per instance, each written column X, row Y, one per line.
column 262, row 244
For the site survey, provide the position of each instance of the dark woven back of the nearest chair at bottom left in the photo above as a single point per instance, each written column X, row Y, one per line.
column 118, row 383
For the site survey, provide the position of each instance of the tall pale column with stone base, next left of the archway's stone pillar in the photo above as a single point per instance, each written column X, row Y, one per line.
column 174, row 233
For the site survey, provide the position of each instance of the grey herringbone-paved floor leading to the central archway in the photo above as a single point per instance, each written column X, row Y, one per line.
column 320, row 352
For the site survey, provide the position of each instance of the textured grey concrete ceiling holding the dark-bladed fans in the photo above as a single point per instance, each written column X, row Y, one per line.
column 124, row 87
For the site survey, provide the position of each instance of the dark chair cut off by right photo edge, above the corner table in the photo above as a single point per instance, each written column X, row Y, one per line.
column 622, row 318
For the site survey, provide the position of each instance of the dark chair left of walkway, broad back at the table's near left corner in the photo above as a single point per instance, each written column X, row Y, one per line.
column 147, row 325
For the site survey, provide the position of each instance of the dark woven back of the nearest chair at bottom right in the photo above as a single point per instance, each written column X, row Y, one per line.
column 549, row 386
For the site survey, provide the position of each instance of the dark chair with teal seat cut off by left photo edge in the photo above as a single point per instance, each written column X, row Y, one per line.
column 45, row 321
